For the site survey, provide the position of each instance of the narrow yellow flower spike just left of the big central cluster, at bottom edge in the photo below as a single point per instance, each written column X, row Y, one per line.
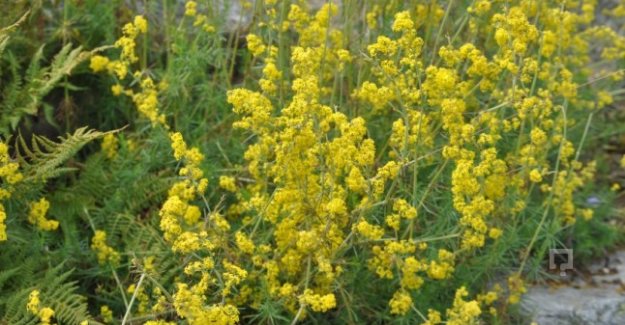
column 190, row 235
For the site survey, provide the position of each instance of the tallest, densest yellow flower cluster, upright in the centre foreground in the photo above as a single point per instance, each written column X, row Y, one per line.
column 306, row 151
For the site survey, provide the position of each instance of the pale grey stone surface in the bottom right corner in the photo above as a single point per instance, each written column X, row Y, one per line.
column 598, row 298
